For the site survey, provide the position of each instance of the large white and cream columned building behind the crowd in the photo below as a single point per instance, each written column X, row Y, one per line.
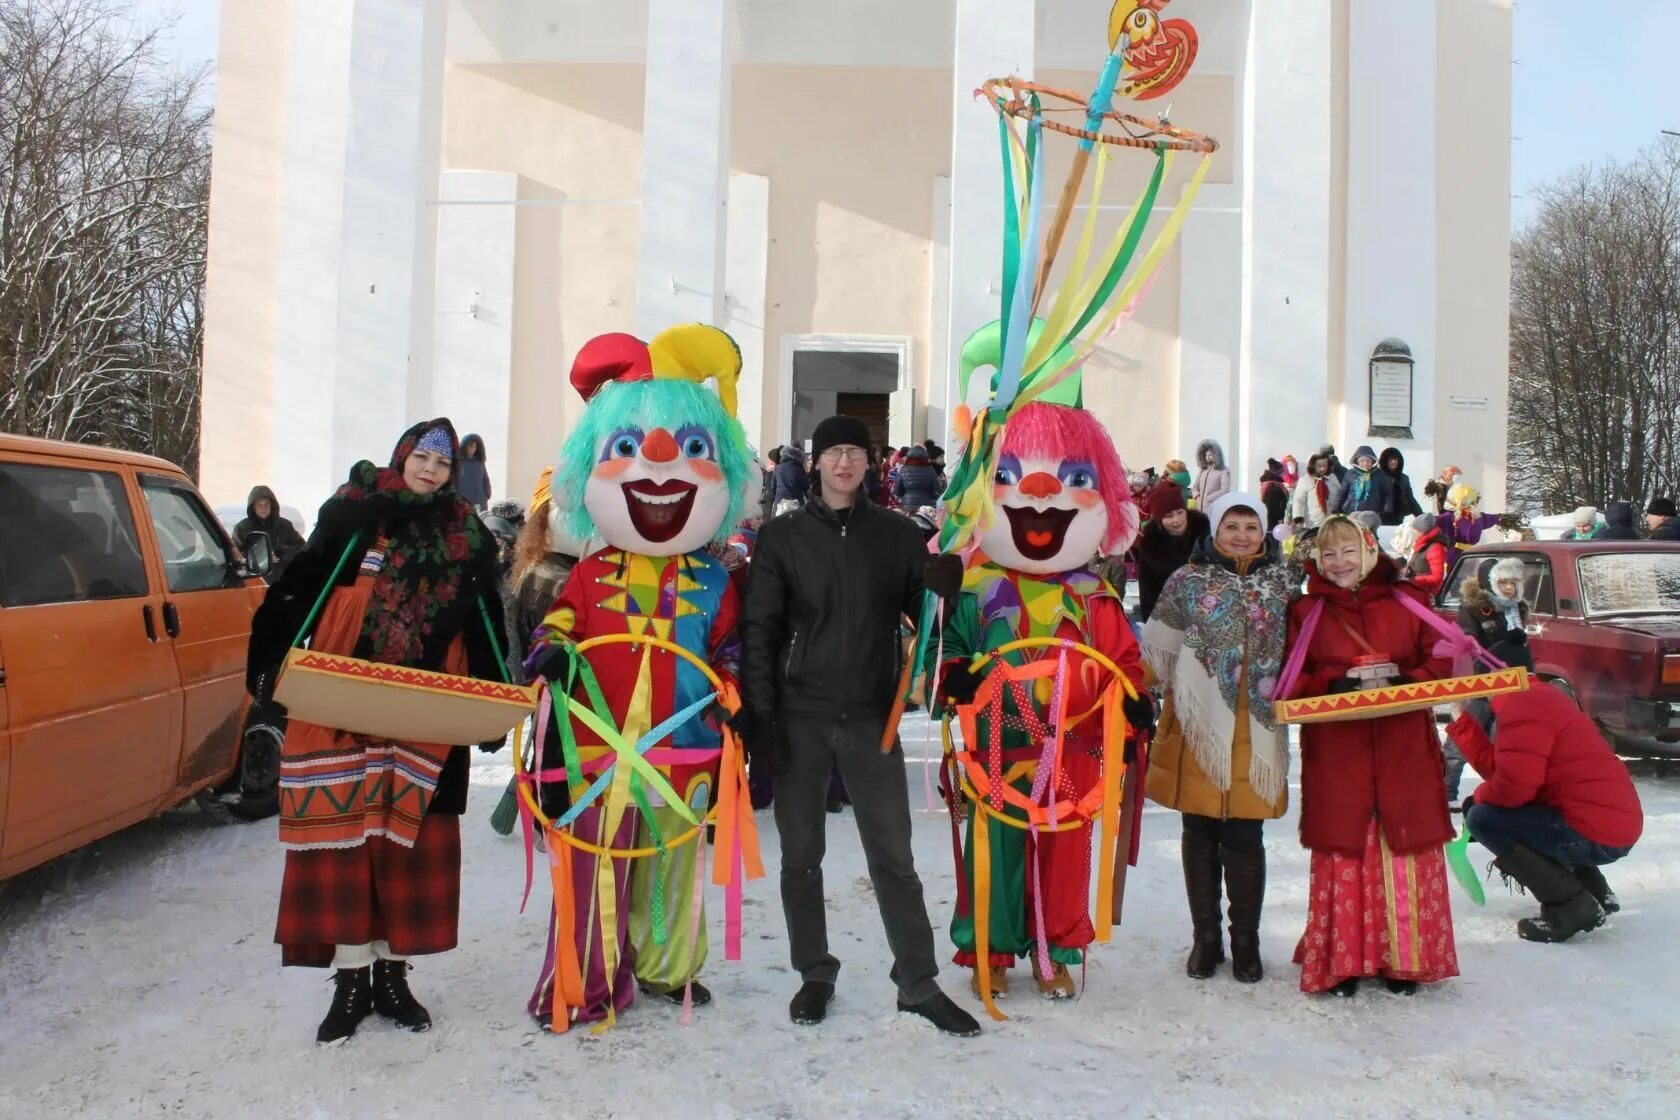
column 426, row 207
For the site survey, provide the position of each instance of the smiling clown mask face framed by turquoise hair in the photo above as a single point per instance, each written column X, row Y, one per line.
column 658, row 493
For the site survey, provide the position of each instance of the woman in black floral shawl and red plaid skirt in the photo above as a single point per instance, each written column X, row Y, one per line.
column 374, row 829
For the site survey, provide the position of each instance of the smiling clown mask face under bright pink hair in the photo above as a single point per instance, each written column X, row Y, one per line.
column 1051, row 515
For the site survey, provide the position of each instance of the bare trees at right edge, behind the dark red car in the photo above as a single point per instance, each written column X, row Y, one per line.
column 1595, row 337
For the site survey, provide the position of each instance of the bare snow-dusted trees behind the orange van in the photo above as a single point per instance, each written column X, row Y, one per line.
column 105, row 169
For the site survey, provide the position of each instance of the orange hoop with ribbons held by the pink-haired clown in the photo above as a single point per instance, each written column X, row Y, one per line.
column 1058, row 815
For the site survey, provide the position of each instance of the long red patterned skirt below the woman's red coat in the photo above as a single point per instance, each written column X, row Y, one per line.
column 1378, row 914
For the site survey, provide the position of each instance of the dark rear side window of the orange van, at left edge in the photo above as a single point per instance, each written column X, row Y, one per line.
column 66, row 536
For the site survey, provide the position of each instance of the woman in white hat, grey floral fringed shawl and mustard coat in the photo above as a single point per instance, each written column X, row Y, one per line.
column 1217, row 641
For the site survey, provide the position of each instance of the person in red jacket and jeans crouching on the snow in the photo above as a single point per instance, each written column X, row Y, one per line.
column 1557, row 802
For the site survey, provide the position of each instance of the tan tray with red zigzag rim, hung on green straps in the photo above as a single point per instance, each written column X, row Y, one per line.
column 396, row 703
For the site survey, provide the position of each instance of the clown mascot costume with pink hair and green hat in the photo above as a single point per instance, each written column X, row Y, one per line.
column 1059, row 498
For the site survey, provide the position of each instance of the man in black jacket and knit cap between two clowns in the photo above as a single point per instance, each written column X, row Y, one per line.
column 821, row 664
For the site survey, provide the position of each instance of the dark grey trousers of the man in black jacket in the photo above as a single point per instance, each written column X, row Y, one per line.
column 881, row 800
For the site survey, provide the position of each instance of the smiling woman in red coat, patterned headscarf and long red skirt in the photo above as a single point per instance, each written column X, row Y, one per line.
column 1372, row 805
